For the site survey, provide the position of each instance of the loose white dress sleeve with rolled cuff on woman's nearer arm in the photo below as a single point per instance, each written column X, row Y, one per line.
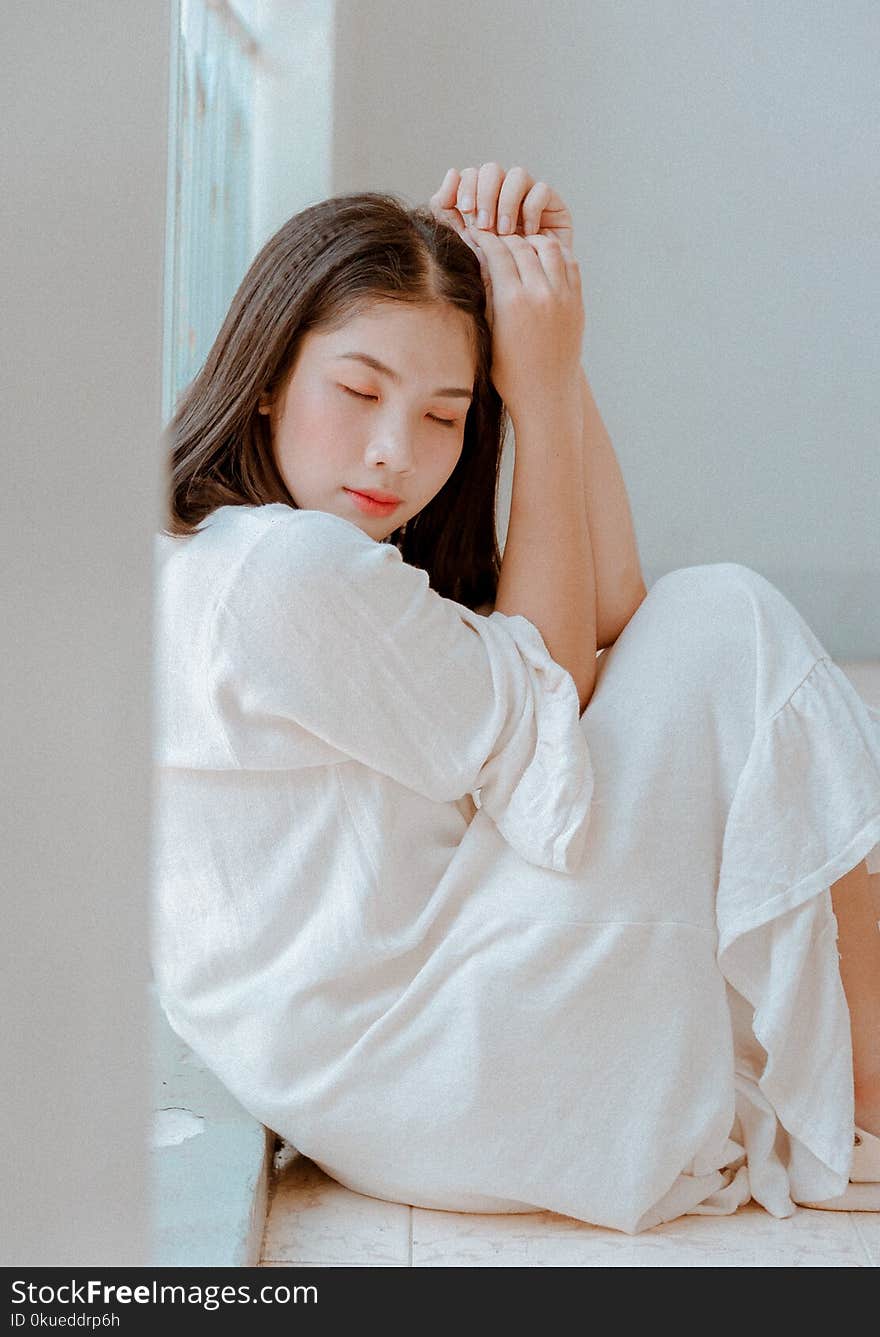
column 326, row 632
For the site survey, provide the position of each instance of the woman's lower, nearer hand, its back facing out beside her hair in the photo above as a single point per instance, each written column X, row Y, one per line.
column 538, row 319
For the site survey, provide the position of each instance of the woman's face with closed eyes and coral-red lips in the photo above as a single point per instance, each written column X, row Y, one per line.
column 342, row 426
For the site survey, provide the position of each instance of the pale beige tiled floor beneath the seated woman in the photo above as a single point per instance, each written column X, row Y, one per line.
column 315, row 1221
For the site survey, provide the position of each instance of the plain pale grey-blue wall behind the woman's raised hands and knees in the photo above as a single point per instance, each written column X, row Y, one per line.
column 722, row 161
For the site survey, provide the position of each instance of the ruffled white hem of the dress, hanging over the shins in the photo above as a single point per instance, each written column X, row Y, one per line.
column 807, row 811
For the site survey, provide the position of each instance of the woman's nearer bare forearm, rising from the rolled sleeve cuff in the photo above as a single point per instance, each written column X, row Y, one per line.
column 548, row 573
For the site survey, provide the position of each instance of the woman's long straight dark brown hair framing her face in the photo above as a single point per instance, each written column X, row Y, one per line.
column 324, row 265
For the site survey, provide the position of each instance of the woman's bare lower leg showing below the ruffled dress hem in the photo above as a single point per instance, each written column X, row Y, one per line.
column 855, row 900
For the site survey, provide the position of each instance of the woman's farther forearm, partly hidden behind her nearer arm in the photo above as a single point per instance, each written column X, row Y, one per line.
column 619, row 572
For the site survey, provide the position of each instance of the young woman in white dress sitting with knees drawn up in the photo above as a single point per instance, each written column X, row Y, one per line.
column 473, row 917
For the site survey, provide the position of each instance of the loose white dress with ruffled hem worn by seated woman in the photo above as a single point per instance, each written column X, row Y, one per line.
column 467, row 949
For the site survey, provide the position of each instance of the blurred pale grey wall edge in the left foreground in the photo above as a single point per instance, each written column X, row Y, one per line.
column 85, row 96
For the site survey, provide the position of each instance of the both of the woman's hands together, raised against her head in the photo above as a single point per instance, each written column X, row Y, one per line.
column 522, row 233
